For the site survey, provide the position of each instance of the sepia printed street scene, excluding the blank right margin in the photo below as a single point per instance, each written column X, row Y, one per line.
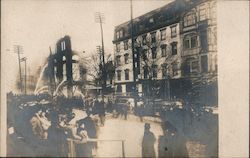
column 126, row 78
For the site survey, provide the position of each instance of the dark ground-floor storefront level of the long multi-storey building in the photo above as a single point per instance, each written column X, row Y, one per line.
column 171, row 89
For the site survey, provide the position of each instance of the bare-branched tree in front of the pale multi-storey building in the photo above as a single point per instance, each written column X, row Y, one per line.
column 153, row 52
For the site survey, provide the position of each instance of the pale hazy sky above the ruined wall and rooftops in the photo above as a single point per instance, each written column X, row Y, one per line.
column 36, row 25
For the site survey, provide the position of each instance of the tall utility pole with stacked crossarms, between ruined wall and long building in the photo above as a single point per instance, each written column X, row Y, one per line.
column 99, row 18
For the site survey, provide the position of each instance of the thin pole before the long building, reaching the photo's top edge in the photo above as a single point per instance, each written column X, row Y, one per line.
column 133, row 53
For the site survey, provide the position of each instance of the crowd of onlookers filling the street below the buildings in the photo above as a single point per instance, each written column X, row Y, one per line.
column 47, row 128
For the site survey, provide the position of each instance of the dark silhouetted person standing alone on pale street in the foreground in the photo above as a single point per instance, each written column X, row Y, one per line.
column 148, row 142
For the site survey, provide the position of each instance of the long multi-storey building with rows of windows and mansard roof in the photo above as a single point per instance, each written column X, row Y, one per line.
column 173, row 44
